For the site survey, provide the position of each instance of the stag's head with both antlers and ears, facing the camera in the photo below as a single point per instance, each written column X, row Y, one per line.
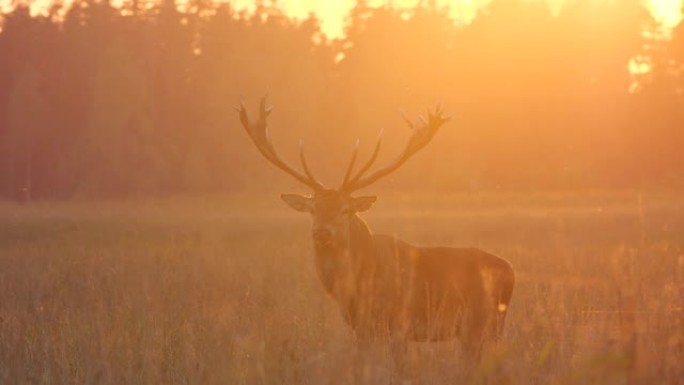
column 333, row 209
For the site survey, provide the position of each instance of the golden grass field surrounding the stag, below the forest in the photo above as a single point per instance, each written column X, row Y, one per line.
column 223, row 291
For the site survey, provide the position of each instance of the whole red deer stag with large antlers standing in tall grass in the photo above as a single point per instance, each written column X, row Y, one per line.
column 386, row 287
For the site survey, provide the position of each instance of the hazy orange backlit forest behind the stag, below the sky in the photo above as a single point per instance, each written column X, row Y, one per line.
column 98, row 101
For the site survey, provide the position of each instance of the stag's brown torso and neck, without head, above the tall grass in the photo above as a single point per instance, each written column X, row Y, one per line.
column 388, row 288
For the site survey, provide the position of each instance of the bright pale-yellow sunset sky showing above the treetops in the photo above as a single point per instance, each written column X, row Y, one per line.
column 333, row 13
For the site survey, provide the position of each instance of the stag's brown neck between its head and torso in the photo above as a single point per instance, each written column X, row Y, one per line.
column 341, row 268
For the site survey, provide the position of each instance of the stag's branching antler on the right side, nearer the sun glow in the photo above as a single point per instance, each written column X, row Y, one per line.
column 423, row 132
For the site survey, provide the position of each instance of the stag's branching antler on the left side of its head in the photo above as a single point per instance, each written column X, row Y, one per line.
column 259, row 134
